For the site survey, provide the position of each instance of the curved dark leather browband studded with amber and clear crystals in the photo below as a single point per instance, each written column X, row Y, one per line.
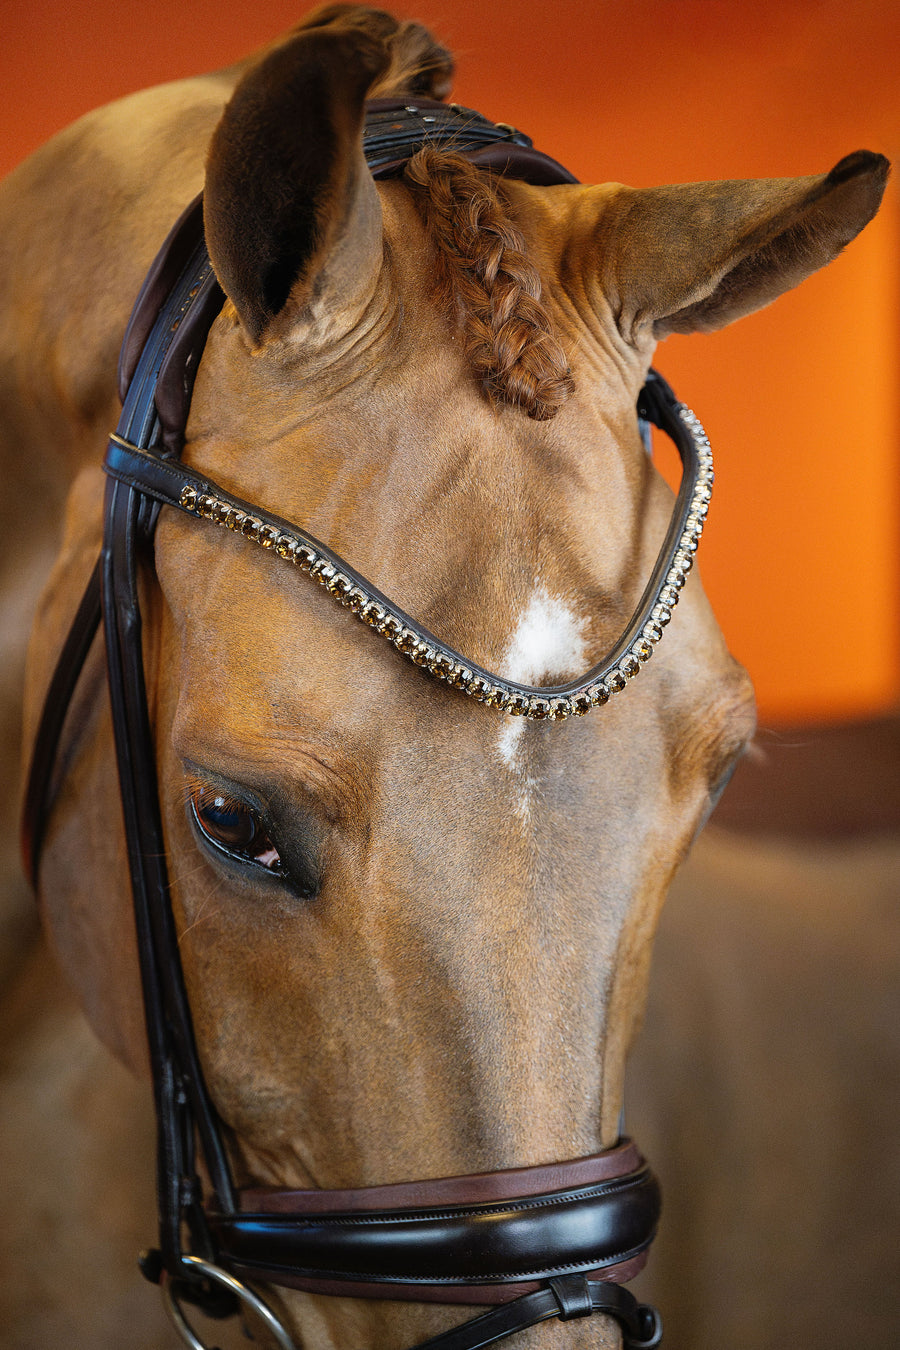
column 177, row 485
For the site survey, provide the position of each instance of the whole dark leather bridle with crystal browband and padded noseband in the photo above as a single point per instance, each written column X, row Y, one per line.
column 554, row 1241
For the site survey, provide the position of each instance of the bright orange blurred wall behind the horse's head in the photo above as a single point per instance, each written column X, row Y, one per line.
column 801, row 558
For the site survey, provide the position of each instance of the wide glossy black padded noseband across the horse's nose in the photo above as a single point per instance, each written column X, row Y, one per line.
column 477, row 1252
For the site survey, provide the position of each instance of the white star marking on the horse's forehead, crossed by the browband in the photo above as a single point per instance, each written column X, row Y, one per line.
column 549, row 643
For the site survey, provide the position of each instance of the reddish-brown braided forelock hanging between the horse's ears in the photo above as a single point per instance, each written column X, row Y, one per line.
column 492, row 284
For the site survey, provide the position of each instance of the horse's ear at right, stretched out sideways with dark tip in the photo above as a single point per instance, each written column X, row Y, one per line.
column 692, row 259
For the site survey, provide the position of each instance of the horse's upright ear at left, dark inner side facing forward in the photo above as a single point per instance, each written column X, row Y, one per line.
column 292, row 214
